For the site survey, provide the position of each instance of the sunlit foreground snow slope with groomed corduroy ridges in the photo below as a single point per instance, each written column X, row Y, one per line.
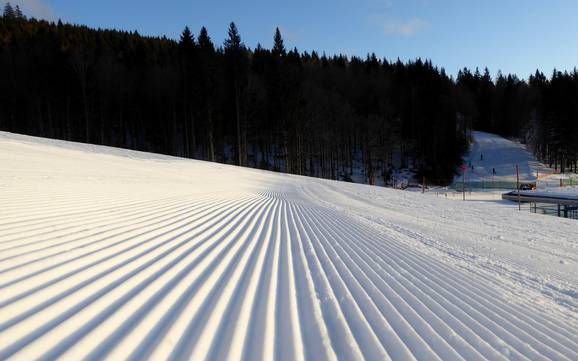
column 108, row 253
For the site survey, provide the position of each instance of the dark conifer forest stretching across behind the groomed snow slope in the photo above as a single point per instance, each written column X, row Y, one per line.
column 278, row 109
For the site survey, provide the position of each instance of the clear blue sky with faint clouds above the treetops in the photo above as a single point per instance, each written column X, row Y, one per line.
column 515, row 36
